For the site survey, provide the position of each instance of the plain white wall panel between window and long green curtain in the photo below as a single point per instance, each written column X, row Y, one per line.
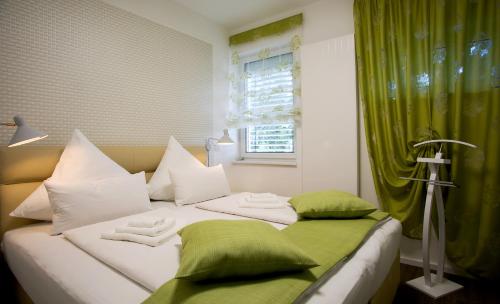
column 329, row 115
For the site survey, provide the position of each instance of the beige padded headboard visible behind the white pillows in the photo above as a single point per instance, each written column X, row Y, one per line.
column 23, row 168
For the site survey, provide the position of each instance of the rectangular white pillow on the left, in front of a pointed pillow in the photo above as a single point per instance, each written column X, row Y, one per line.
column 77, row 204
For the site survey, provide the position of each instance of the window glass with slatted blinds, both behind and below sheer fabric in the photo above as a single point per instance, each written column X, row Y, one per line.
column 269, row 85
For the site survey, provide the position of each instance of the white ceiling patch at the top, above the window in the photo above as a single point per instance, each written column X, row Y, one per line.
column 233, row 14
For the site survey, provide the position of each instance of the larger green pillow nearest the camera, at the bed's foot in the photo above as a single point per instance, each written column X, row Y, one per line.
column 218, row 249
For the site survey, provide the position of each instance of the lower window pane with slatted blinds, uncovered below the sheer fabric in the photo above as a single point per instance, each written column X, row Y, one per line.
column 277, row 138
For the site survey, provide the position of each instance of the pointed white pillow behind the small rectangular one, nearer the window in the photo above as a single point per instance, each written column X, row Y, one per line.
column 175, row 158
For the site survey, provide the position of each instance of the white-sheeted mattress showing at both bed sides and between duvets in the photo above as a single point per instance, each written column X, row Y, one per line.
column 53, row 270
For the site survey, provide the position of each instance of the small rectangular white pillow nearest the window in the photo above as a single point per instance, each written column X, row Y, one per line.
column 199, row 184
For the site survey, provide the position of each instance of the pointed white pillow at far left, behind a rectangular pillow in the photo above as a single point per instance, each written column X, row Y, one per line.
column 80, row 160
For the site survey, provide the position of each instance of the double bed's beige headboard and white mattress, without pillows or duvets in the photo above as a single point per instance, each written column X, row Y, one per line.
column 53, row 270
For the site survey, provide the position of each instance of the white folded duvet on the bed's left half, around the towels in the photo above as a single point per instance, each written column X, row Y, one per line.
column 149, row 266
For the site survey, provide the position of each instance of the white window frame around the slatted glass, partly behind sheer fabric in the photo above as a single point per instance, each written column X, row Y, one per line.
column 243, row 131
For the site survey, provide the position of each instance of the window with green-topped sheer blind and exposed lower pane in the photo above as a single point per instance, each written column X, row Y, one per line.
column 265, row 88
